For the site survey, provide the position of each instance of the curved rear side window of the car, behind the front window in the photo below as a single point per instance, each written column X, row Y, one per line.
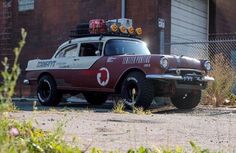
column 69, row 51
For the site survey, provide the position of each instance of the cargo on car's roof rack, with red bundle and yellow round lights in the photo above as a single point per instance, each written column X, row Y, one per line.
column 100, row 27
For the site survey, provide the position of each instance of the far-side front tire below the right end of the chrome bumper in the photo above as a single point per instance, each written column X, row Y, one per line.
column 187, row 100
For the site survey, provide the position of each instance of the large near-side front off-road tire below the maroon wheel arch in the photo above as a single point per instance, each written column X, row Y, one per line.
column 144, row 90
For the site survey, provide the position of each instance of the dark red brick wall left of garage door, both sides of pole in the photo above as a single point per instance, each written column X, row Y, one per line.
column 48, row 25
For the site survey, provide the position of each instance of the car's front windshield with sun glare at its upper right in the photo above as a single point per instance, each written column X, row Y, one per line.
column 130, row 47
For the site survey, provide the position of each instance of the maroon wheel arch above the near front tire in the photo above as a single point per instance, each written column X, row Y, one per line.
column 122, row 77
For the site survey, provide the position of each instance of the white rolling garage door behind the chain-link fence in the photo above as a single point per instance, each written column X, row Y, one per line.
column 189, row 23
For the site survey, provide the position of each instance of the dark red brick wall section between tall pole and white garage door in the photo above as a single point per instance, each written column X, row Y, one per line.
column 146, row 14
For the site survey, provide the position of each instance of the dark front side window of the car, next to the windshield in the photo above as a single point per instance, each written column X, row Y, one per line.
column 89, row 49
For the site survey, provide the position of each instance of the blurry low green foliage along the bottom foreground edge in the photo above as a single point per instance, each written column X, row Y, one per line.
column 22, row 137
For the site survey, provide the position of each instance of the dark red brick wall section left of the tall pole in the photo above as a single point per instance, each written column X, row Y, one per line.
column 48, row 25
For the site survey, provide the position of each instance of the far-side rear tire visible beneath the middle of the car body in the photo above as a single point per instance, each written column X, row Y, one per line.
column 94, row 98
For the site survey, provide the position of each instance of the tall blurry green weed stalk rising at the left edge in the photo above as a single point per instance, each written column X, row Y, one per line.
column 10, row 76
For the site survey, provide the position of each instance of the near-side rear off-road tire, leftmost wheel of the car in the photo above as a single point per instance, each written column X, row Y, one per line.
column 47, row 92
